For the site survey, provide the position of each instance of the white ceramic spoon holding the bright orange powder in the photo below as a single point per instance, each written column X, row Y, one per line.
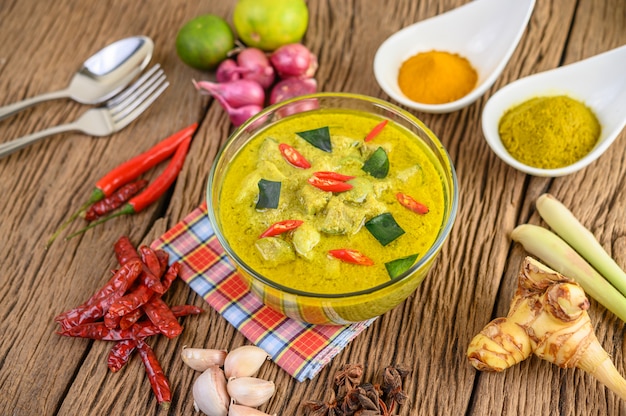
column 486, row 32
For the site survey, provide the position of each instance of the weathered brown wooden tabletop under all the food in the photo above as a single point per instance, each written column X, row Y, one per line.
column 43, row 43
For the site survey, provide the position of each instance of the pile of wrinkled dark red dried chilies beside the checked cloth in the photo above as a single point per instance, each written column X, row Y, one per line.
column 129, row 308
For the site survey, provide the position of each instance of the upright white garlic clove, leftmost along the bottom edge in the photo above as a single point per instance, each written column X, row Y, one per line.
column 210, row 395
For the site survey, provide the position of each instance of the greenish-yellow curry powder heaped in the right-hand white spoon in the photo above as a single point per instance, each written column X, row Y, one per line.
column 549, row 132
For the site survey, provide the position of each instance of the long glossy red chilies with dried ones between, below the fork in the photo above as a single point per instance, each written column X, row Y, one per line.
column 117, row 187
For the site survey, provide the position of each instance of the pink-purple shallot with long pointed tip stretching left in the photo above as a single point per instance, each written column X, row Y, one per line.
column 237, row 93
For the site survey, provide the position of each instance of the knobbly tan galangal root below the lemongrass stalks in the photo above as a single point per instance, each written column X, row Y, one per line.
column 548, row 317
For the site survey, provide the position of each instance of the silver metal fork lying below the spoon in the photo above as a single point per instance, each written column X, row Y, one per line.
column 116, row 114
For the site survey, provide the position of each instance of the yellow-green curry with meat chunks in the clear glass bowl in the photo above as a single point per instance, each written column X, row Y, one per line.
column 330, row 220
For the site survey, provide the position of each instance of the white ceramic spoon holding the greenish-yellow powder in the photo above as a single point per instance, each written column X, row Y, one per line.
column 599, row 82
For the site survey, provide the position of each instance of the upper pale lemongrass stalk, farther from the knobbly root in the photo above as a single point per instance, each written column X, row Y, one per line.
column 567, row 226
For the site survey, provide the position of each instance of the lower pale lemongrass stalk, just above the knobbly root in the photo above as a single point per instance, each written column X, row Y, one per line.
column 558, row 255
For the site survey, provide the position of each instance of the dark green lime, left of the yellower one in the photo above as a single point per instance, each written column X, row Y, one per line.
column 204, row 41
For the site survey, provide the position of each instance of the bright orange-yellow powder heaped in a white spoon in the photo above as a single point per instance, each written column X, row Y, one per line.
column 436, row 77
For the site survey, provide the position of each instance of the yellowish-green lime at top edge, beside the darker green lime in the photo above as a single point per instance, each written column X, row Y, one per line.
column 269, row 24
